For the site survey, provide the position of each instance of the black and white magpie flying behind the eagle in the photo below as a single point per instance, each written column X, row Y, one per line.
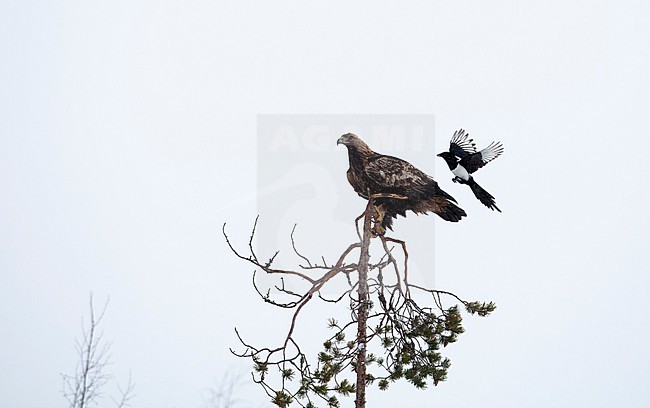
column 463, row 160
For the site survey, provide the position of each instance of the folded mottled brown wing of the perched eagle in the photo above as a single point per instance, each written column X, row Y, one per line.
column 393, row 173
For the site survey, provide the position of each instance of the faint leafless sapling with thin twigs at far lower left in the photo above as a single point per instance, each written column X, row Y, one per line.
column 85, row 387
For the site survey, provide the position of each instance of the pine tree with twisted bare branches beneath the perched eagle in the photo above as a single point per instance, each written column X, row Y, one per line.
column 405, row 336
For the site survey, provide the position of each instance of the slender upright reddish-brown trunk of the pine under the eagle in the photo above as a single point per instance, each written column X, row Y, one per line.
column 362, row 312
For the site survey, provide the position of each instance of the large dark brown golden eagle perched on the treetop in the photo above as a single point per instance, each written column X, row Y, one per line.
column 373, row 173
